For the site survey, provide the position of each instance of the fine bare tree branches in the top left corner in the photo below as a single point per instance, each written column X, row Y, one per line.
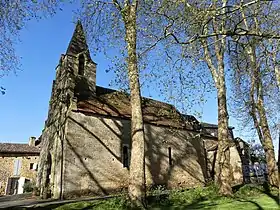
column 14, row 15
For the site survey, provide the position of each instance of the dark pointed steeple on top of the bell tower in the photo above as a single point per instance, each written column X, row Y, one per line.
column 78, row 42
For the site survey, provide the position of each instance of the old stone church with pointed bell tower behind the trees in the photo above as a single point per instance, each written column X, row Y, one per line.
column 86, row 140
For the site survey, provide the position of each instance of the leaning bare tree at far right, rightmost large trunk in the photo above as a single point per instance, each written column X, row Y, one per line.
column 252, row 95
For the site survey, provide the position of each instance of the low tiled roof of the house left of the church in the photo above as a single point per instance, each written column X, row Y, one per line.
column 18, row 148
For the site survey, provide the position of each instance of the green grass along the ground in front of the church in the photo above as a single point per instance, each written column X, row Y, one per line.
column 247, row 197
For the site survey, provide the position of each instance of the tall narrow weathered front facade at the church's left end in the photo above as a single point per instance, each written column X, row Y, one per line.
column 53, row 133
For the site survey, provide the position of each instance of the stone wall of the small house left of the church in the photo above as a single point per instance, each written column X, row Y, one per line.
column 7, row 169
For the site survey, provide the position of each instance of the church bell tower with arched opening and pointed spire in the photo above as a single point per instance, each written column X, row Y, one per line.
column 75, row 75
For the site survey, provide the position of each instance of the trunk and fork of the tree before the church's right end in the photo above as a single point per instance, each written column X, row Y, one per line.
column 216, row 64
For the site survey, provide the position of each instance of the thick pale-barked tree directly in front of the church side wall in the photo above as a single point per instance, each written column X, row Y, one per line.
column 121, row 18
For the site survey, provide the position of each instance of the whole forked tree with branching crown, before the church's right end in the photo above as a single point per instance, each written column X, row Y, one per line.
column 193, row 28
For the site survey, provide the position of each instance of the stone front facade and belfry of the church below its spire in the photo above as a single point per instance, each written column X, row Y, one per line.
column 67, row 86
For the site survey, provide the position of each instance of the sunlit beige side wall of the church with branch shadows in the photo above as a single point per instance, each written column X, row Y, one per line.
column 93, row 156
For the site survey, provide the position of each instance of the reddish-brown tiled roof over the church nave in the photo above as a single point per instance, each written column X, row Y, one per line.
column 116, row 103
